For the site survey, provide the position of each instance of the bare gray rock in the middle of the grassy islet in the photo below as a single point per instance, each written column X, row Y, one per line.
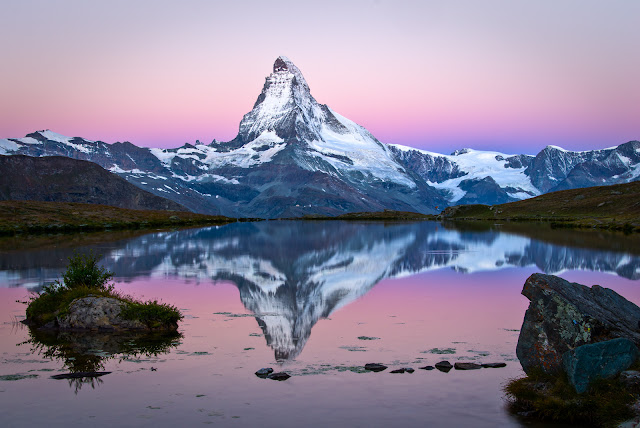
column 97, row 313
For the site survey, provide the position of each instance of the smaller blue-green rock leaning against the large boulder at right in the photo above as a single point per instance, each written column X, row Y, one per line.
column 598, row 360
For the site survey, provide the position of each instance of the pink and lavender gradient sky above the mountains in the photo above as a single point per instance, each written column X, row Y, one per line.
column 438, row 75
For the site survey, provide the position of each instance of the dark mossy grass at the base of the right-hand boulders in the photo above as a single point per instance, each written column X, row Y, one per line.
column 552, row 398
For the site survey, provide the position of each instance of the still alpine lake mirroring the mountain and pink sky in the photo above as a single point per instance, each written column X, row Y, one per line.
column 315, row 299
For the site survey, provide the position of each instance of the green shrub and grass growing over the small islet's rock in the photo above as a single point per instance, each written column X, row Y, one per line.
column 84, row 277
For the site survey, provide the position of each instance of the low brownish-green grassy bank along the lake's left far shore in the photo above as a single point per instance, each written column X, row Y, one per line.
column 63, row 217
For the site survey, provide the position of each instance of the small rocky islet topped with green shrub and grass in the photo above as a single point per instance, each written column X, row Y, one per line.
column 85, row 300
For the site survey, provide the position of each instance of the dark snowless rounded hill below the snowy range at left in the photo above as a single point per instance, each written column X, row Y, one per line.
column 61, row 179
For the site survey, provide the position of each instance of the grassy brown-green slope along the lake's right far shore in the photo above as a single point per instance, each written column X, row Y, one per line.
column 614, row 207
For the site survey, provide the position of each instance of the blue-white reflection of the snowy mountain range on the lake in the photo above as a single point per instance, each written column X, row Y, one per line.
column 291, row 273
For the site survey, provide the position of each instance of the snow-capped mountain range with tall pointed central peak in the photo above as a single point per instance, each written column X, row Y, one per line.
column 293, row 156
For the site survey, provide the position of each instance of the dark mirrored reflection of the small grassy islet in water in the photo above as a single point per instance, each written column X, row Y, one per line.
column 84, row 354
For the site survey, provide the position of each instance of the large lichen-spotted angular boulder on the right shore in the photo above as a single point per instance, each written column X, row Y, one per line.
column 564, row 315
